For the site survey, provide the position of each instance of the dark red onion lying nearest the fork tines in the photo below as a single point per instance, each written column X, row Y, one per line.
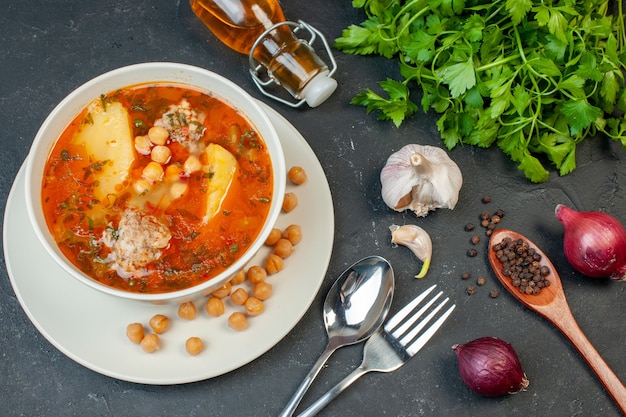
column 489, row 366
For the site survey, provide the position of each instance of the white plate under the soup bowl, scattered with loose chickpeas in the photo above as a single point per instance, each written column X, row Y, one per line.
column 89, row 327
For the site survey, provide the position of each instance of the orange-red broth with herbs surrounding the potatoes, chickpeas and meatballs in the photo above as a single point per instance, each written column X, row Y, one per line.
column 196, row 252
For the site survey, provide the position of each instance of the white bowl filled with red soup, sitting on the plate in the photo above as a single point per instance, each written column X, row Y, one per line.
column 155, row 182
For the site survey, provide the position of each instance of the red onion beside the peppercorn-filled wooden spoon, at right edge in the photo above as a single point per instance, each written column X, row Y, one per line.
column 594, row 242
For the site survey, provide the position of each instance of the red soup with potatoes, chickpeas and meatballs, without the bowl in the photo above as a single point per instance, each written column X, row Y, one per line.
column 156, row 188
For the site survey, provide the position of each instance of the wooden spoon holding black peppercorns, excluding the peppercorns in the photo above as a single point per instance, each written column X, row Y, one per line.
column 551, row 304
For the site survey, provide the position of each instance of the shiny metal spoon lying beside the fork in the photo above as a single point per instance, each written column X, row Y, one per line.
column 355, row 307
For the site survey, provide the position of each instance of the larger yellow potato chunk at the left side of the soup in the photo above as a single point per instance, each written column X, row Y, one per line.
column 109, row 142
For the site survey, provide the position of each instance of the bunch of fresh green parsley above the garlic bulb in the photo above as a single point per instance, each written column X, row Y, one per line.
column 535, row 77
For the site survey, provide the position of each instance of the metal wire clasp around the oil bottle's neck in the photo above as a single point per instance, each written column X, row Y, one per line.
column 256, row 68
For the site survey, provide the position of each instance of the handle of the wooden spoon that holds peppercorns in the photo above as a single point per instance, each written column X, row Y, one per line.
column 569, row 327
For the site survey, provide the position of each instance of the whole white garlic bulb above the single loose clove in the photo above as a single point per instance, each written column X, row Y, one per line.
column 420, row 178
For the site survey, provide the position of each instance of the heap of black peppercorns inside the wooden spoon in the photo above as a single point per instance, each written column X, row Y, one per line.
column 522, row 264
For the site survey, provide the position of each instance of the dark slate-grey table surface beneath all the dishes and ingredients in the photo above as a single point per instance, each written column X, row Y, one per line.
column 50, row 48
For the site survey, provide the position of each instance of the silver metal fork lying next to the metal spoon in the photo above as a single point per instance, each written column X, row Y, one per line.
column 391, row 347
